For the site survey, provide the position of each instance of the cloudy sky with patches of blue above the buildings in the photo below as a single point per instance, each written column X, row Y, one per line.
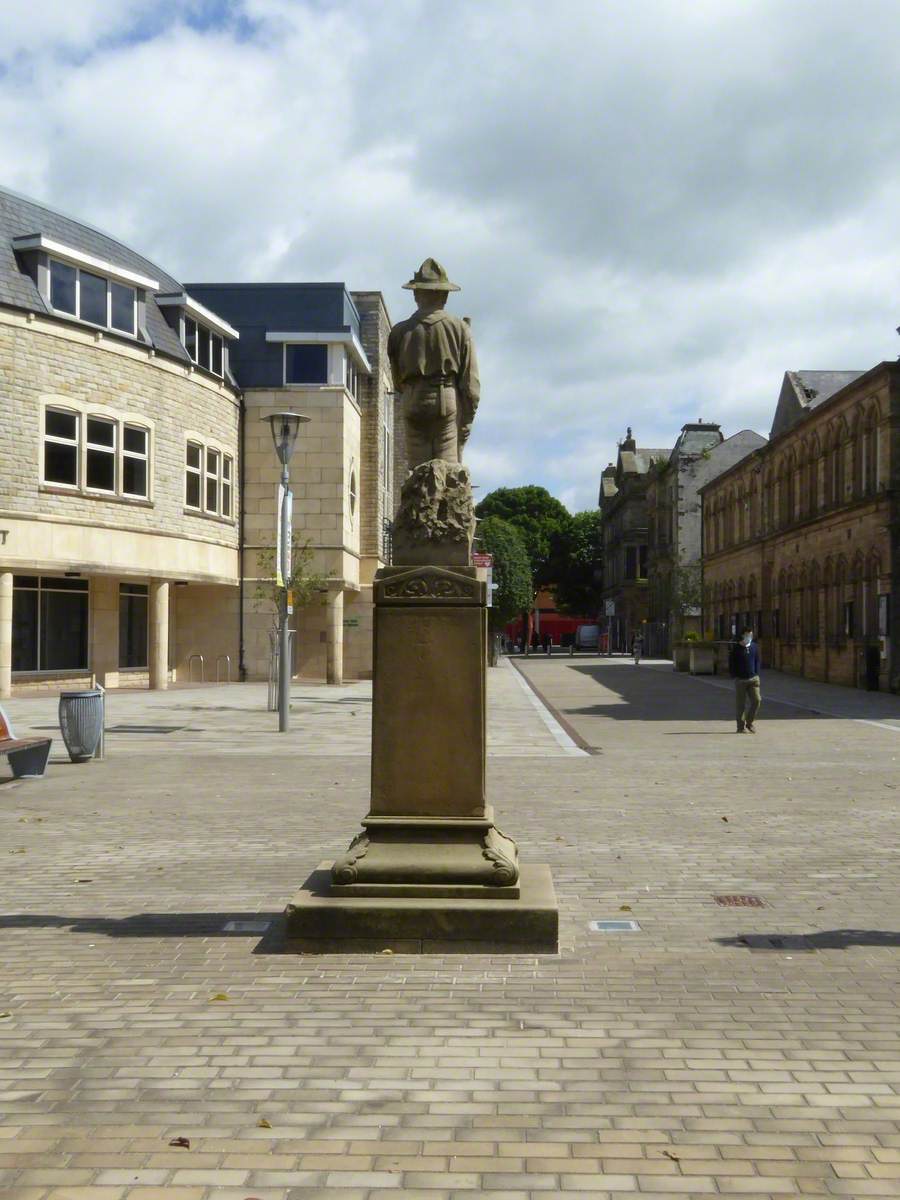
column 655, row 208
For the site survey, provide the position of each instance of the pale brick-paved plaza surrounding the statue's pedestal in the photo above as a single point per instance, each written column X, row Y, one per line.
column 724, row 1052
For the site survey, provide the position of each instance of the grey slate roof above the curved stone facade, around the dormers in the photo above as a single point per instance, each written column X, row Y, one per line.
column 21, row 217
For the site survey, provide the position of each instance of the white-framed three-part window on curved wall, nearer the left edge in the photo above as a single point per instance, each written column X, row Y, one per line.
column 97, row 454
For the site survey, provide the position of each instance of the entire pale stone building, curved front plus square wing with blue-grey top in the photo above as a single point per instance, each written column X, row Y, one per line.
column 137, row 478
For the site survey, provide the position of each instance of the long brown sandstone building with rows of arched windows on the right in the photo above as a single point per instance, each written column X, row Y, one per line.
column 801, row 537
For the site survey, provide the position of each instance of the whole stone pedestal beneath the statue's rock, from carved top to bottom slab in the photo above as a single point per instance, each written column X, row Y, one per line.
column 430, row 869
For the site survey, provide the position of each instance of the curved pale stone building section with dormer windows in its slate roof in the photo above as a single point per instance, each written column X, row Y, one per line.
column 119, row 446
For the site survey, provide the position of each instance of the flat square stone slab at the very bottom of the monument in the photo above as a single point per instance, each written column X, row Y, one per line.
column 415, row 919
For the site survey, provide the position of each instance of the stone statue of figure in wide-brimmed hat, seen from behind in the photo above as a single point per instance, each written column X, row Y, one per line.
column 434, row 364
